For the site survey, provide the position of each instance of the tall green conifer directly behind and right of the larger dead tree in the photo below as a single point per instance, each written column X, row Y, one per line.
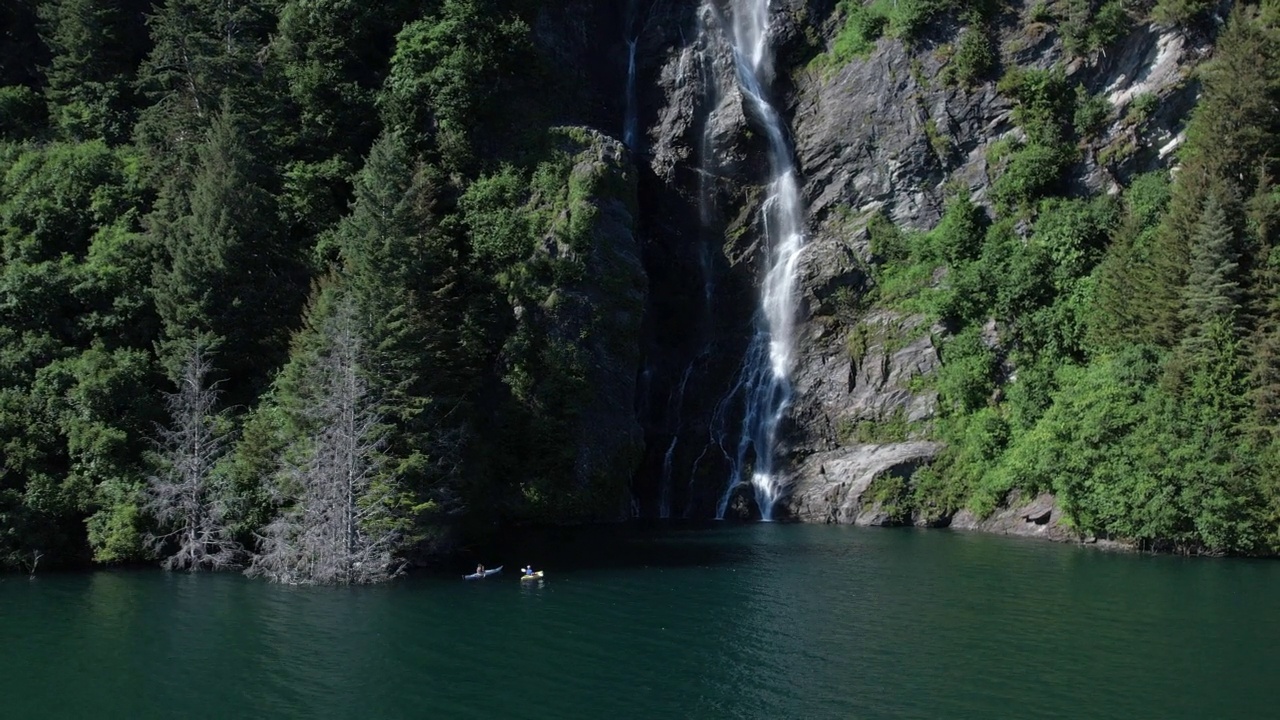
column 401, row 270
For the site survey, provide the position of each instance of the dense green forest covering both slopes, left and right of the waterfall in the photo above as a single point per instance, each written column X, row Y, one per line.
column 301, row 286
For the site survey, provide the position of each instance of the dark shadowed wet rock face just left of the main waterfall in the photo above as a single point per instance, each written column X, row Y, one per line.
column 702, row 176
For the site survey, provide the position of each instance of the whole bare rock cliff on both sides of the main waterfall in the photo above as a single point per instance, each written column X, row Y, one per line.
column 886, row 134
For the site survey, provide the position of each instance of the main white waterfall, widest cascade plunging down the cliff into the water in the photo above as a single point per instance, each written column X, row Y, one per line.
column 765, row 380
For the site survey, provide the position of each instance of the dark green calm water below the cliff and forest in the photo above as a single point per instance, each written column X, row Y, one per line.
column 675, row 622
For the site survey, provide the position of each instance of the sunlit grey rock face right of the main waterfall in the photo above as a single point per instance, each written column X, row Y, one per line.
column 886, row 134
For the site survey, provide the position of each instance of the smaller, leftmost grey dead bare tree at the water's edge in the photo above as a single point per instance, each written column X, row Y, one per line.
column 184, row 496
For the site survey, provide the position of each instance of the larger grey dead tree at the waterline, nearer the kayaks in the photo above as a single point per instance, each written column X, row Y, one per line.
column 340, row 525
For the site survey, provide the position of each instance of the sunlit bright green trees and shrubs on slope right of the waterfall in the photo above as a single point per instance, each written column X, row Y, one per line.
column 1119, row 352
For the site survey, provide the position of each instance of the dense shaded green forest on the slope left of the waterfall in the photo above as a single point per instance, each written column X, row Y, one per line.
column 200, row 180
